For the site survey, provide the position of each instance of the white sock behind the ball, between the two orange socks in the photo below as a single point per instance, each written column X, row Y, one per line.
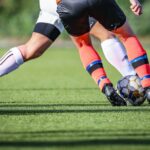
column 116, row 55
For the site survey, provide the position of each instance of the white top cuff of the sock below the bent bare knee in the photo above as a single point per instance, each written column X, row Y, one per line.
column 18, row 56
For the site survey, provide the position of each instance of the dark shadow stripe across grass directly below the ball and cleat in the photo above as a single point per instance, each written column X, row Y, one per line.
column 25, row 110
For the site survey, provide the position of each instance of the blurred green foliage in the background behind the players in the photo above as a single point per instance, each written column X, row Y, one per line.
column 17, row 17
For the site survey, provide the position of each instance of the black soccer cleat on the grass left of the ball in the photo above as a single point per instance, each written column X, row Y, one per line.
column 113, row 96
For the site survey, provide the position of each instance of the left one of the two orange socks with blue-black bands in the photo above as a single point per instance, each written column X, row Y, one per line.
column 92, row 63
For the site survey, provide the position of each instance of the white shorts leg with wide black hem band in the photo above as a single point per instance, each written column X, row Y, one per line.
column 48, row 22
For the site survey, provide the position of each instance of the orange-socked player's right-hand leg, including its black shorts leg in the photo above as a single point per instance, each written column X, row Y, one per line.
column 136, row 54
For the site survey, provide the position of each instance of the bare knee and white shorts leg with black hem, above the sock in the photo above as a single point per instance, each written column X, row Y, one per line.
column 48, row 27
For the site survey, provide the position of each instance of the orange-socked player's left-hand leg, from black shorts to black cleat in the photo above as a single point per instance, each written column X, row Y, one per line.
column 77, row 25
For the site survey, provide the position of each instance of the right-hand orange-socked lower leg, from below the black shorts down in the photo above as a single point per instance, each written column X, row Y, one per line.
column 137, row 55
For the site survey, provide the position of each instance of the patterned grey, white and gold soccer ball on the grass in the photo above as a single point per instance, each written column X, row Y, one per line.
column 131, row 90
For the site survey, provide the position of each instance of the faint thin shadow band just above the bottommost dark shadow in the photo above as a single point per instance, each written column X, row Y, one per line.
column 82, row 133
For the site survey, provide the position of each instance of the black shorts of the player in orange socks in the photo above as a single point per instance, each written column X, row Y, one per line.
column 75, row 13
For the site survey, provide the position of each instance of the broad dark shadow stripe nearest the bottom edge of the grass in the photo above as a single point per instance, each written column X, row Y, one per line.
column 75, row 143
